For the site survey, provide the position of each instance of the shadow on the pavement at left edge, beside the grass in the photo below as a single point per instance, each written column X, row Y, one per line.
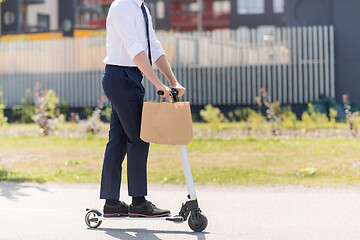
column 13, row 191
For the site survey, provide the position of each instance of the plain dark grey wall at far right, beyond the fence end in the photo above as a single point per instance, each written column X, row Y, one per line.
column 345, row 17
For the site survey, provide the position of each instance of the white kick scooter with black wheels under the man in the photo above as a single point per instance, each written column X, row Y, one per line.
column 189, row 211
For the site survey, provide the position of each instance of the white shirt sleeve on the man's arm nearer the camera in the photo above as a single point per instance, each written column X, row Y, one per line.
column 122, row 19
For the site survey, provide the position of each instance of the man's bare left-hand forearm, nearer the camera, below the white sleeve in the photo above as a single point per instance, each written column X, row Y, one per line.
column 142, row 61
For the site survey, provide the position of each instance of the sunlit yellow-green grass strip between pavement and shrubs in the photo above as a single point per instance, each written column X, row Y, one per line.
column 249, row 161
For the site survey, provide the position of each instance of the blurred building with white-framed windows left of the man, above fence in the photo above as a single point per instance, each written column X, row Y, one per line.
column 44, row 16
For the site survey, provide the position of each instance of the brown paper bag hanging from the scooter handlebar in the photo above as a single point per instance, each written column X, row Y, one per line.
column 166, row 123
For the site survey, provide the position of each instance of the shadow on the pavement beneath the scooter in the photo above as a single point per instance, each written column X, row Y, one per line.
column 141, row 233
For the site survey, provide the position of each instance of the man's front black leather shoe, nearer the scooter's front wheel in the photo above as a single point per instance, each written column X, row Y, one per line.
column 147, row 209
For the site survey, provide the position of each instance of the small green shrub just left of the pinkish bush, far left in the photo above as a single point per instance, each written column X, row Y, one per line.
column 26, row 110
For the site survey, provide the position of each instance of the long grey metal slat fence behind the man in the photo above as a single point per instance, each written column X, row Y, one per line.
column 225, row 67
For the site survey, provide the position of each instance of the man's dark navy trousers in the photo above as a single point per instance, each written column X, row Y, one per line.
column 122, row 86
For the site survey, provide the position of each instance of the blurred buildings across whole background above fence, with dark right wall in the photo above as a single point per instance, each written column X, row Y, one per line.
column 65, row 17
